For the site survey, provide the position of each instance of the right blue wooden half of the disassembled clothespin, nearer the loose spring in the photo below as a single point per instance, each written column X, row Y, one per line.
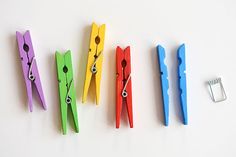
column 182, row 82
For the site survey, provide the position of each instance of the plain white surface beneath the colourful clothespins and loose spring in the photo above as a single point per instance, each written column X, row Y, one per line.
column 207, row 27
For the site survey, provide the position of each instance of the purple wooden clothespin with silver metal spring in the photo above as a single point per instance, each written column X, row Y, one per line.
column 29, row 67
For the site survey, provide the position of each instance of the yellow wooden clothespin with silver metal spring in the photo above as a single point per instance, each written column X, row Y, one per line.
column 95, row 57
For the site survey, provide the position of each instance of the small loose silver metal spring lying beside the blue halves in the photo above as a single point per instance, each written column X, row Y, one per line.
column 214, row 82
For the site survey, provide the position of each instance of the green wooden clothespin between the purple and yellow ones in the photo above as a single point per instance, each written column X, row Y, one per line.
column 66, row 89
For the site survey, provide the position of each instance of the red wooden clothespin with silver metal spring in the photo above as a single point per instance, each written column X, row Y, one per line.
column 123, row 84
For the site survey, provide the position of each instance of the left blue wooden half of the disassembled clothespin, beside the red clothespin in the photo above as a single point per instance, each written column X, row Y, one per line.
column 164, row 82
